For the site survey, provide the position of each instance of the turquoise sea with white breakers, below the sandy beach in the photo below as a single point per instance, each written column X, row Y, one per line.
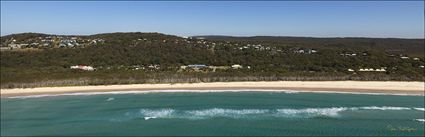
column 214, row 114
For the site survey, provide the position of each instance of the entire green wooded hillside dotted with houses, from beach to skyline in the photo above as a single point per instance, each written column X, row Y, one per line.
column 32, row 59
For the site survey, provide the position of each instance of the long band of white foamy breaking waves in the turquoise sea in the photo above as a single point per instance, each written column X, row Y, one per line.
column 331, row 112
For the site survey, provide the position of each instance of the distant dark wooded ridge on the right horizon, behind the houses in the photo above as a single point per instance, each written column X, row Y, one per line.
column 407, row 46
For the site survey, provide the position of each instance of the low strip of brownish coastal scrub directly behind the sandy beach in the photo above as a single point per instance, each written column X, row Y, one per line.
column 170, row 77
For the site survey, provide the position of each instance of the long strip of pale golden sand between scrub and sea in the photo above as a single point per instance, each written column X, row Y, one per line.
column 391, row 87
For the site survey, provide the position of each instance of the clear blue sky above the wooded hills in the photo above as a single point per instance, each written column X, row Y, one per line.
column 237, row 18
